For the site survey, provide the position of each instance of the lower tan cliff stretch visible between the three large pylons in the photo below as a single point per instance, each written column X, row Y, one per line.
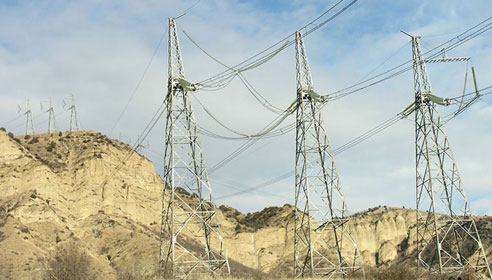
column 383, row 235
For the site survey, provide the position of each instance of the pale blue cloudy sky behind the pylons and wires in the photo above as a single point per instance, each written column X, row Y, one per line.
column 98, row 50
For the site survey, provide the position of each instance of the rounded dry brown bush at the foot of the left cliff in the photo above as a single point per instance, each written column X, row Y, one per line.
column 68, row 262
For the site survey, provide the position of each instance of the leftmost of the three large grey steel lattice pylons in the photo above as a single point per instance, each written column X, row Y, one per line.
column 191, row 242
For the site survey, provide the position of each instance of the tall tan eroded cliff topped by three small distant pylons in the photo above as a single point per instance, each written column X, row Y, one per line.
column 64, row 186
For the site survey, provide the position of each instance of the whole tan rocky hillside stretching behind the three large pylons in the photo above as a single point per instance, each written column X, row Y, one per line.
column 86, row 188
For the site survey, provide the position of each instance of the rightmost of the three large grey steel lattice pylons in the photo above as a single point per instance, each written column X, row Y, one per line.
column 447, row 237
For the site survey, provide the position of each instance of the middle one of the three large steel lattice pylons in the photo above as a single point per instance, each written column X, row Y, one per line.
column 324, row 244
